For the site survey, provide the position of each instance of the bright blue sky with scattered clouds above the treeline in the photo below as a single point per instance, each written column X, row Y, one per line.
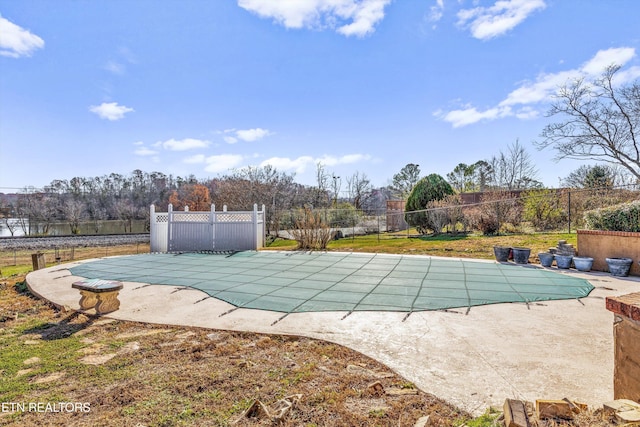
column 201, row 87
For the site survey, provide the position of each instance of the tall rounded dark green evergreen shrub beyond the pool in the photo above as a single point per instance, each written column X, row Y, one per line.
column 428, row 189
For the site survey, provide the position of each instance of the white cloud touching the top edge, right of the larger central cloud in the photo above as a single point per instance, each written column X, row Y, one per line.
column 489, row 22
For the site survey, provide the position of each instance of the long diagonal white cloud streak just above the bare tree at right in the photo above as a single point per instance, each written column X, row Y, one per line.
column 522, row 101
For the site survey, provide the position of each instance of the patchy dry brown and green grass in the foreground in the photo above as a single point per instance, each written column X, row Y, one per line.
column 166, row 376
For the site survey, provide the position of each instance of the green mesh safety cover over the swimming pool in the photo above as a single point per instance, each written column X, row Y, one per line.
column 291, row 282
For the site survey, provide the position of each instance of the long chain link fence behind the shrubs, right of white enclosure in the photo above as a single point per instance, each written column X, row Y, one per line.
column 496, row 212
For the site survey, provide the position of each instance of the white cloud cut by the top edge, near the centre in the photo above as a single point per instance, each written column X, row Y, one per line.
column 348, row 17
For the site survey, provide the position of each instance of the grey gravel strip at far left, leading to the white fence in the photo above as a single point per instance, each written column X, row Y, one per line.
column 53, row 242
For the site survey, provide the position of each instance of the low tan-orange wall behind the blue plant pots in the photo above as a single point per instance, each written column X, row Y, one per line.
column 600, row 245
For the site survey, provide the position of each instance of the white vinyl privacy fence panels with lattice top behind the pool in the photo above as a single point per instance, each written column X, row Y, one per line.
column 178, row 231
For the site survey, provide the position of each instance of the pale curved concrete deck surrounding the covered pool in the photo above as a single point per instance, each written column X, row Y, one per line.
column 552, row 349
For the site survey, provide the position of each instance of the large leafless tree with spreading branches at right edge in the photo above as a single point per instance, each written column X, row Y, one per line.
column 602, row 122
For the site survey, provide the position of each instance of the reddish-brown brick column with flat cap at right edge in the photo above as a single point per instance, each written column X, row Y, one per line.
column 626, row 335
